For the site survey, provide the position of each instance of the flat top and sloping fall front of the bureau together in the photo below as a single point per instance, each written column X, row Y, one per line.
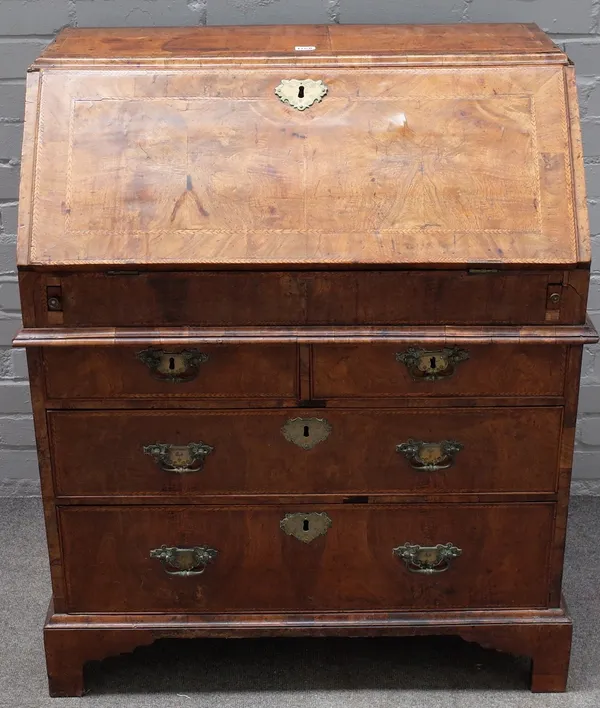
column 426, row 146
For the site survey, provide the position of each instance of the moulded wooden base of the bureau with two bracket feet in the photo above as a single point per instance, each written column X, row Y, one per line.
column 542, row 635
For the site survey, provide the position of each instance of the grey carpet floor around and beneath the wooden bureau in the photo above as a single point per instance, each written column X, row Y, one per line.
column 294, row 673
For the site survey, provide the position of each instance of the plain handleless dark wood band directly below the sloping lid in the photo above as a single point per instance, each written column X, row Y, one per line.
column 287, row 298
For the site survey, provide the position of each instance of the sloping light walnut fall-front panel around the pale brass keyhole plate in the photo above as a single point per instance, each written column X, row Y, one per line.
column 234, row 176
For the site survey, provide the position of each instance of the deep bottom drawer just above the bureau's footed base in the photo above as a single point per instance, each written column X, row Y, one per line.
column 254, row 558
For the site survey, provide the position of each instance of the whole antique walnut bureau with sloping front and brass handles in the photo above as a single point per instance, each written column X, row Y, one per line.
column 304, row 310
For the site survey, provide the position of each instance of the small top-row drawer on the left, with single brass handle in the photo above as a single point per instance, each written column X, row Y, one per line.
column 227, row 371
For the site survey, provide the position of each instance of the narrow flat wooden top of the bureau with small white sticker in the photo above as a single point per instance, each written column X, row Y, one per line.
column 159, row 44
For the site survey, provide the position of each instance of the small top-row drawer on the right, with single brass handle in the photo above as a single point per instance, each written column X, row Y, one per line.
column 385, row 370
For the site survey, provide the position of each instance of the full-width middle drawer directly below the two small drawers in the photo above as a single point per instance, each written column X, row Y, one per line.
column 465, row 450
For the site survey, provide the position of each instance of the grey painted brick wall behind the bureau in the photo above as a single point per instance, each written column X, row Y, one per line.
column 26, row 26
